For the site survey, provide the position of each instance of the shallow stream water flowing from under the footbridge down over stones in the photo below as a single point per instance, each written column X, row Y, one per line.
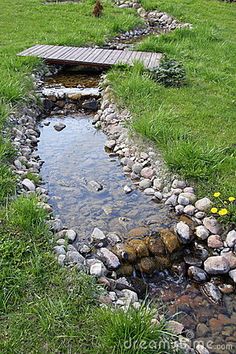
column 86, row 190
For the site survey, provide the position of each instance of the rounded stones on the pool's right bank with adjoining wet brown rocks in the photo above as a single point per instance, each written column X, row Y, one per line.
column 207, row 249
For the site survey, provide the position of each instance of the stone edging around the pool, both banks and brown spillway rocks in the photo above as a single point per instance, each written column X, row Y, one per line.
column 107, row 256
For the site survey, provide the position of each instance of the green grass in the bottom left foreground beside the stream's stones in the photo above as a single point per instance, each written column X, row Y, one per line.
column 45, row 308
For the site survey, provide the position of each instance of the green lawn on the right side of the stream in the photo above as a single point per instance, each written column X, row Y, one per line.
column 194, row 126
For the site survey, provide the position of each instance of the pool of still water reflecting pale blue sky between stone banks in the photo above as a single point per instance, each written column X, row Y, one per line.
column 75, row 156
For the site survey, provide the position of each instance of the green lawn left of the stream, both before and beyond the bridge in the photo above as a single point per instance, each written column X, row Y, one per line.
column 43, row 307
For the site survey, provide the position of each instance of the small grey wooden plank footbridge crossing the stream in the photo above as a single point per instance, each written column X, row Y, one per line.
column 91, row 56
